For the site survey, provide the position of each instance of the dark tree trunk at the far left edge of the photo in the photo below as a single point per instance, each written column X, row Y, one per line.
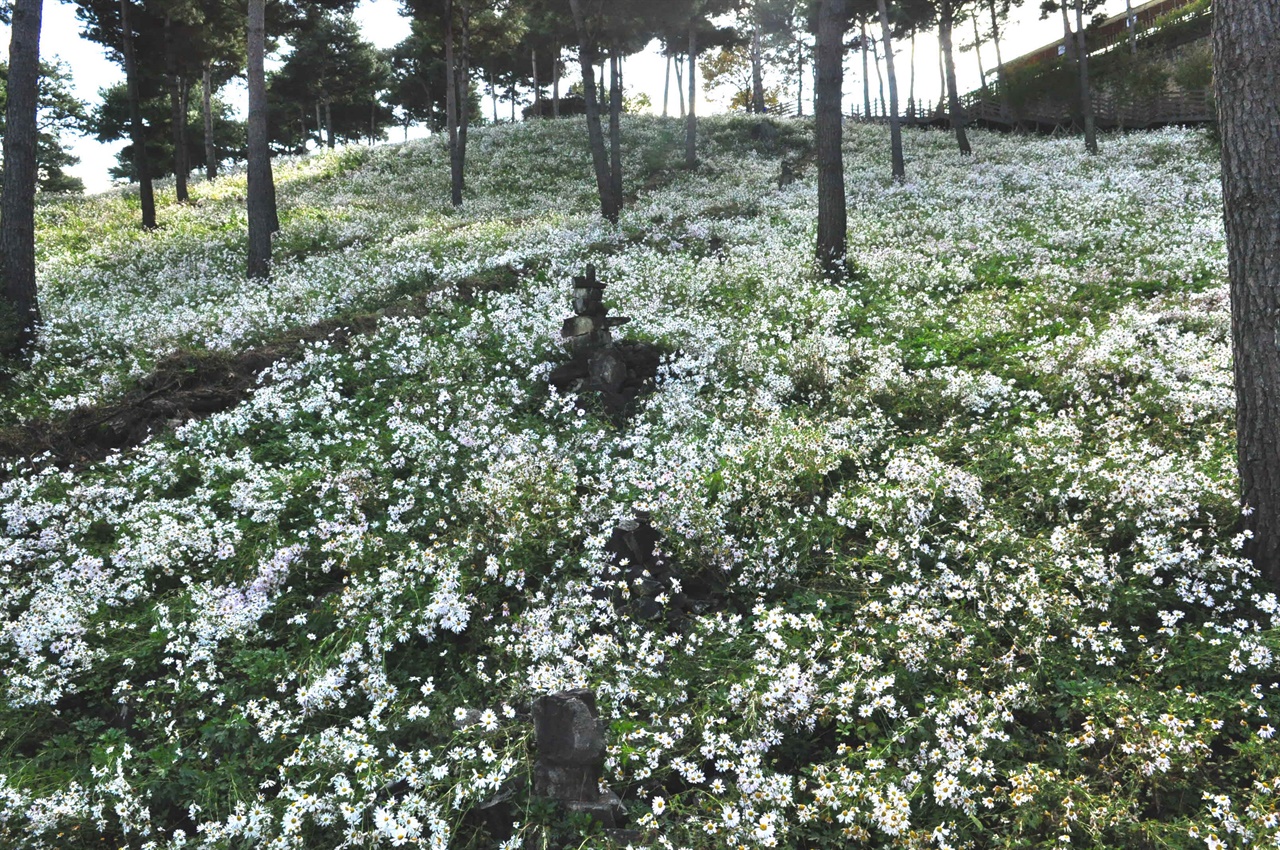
column 19, row 195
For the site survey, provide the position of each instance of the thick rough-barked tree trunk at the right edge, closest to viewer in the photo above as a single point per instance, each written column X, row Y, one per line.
column 1247, row 77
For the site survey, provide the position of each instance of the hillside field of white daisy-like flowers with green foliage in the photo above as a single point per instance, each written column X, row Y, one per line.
column 954, row 545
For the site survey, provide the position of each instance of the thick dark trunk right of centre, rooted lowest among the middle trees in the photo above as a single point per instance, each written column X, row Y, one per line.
column 833, row 223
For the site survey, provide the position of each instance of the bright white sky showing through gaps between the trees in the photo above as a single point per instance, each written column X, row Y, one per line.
column 383, row 25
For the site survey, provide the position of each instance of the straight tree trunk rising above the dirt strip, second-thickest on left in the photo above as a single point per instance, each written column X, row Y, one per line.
column 260, row 184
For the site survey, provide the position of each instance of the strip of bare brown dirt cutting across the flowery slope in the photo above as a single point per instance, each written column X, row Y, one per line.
column 189, row 386
